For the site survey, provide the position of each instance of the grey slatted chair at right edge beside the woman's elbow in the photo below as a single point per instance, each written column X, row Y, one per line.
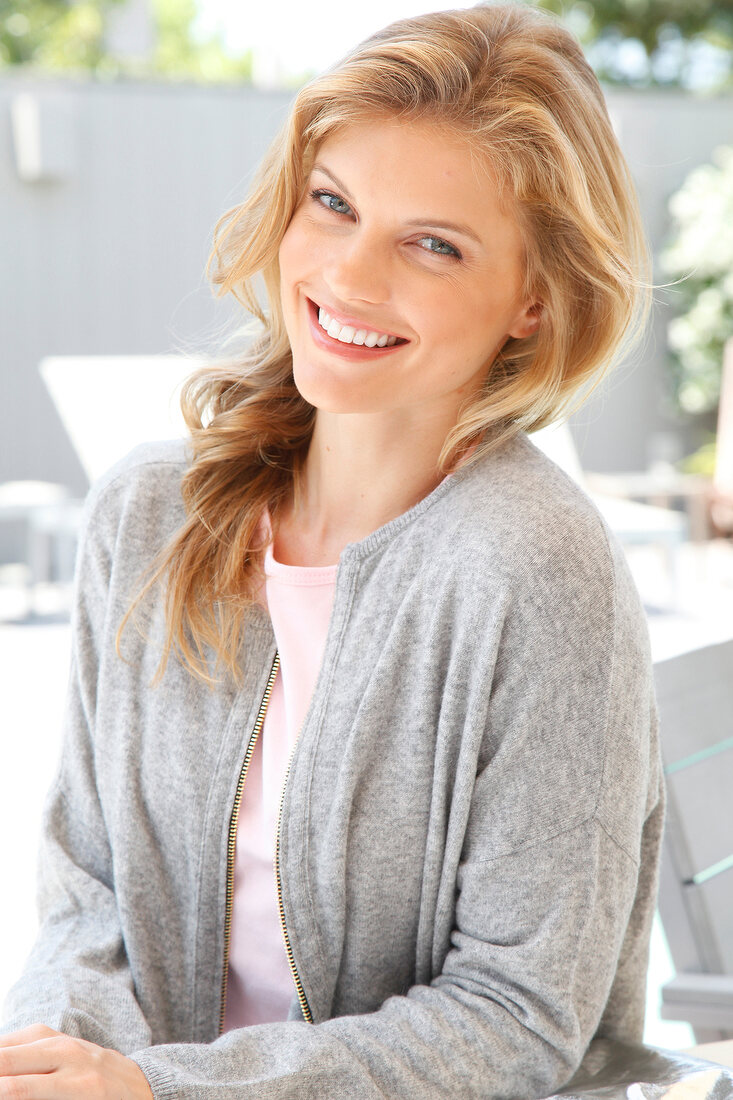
column 695, row 694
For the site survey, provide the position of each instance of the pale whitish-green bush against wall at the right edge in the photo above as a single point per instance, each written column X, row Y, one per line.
column 701, row 257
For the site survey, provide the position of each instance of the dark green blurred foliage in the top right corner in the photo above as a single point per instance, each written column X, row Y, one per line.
column 687, row 43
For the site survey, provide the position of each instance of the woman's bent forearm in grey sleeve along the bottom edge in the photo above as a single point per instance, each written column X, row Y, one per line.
column 499, row 1037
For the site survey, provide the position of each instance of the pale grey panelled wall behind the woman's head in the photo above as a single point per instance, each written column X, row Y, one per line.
column 106, row 254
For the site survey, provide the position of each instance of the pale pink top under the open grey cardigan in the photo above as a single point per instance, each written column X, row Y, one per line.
column 260, row 985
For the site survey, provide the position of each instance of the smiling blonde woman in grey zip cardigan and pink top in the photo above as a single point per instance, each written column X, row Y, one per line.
column 466, row 837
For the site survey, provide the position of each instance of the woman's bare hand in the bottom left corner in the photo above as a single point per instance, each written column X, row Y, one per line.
column 41, row 1064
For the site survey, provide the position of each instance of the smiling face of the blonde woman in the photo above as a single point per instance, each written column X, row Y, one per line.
column 401, row 273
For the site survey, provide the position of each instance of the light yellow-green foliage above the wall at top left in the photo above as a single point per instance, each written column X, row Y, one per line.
column 68, row 36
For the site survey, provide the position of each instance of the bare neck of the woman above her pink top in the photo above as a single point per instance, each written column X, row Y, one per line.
column 360, row 474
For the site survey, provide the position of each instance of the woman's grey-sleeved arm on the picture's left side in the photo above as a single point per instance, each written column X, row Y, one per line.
column 78, row 978
